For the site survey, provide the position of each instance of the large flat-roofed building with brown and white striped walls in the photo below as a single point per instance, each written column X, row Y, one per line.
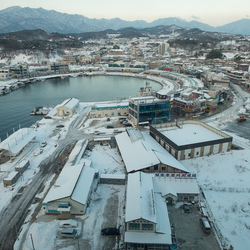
column 190, row 139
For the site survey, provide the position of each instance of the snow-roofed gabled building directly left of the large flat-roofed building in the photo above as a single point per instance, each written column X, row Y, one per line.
column 150, row 156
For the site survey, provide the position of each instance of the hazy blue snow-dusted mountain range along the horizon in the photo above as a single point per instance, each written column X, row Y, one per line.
column 16, row 19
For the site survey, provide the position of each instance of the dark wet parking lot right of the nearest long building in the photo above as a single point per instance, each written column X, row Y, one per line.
column 189, row 233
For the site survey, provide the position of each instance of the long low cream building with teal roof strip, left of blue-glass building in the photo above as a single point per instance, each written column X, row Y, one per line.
column 109, row 109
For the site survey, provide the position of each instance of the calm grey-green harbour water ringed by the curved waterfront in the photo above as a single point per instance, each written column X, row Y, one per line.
column 16, row 106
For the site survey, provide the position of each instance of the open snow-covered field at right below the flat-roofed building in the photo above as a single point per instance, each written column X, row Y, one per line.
column 224, row 179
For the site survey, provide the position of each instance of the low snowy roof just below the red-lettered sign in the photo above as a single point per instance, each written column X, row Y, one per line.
column 168, row 185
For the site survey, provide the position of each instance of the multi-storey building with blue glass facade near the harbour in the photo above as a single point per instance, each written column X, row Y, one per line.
column 148, row 109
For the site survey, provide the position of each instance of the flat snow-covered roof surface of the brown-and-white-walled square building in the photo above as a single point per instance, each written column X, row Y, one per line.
column 189, row 134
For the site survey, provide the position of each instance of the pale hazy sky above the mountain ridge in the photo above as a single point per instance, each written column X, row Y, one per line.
column 212, row 12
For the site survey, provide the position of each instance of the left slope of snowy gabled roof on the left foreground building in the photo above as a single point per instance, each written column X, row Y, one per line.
column 65, row 183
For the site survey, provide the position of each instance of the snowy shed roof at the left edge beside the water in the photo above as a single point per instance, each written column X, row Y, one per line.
column 18, row 140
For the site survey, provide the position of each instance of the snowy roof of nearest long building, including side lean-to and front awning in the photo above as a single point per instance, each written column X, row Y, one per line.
column 144, row 203
